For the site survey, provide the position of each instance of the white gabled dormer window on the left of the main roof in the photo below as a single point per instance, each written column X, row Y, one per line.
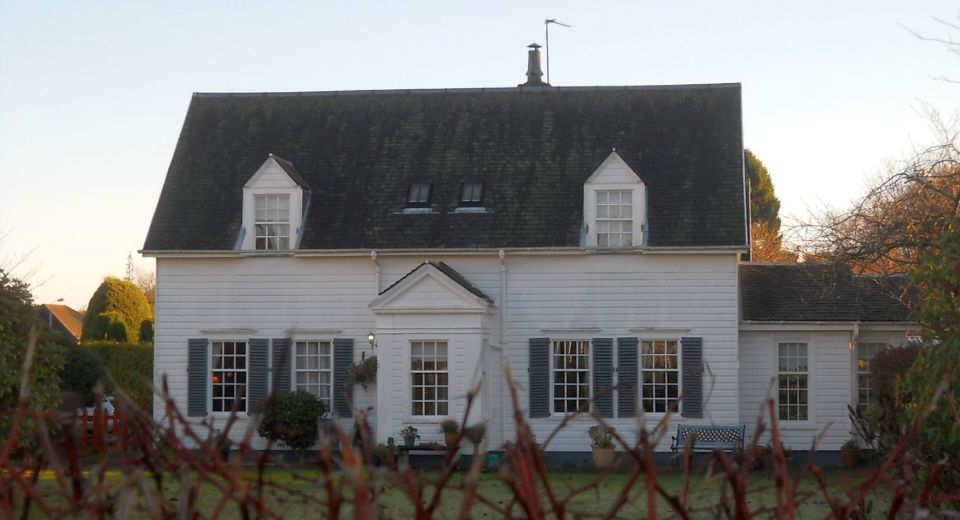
column 274, row 207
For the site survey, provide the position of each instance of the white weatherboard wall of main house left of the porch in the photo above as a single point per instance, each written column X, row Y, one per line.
column 197, row 298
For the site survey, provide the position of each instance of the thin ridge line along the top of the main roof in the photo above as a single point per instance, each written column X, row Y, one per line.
column 471, row 90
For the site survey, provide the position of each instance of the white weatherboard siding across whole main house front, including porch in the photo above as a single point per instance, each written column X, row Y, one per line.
column 559, row 296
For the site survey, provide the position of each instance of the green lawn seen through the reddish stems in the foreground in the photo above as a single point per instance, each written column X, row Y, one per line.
column 288, row 489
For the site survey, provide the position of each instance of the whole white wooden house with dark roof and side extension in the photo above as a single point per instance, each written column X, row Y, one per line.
column 584, row 237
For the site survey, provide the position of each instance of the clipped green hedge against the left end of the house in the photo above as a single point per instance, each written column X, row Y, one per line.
column 131, row 368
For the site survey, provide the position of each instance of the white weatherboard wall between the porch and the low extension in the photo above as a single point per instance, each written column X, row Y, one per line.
column 617, row 293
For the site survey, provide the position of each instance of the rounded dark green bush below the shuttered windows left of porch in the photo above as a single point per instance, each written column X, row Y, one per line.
column 290, row 419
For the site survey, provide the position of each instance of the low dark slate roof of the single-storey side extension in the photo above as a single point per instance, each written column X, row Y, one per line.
column 819, row 292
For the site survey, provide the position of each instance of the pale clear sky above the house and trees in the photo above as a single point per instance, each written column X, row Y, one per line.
column 93, row 94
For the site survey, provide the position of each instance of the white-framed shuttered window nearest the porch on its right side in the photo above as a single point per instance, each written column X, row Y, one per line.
column 571, row 375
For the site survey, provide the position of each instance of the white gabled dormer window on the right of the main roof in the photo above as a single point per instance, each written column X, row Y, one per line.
column 614, row 206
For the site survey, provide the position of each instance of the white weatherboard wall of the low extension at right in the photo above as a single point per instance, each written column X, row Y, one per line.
column 832, row 381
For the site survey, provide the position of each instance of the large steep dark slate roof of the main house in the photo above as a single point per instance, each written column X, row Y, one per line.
column 533, row 148
